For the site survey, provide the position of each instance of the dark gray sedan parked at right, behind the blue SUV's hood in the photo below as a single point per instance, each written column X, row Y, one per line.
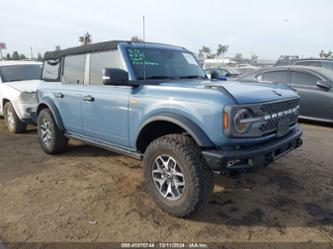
column 313, row 84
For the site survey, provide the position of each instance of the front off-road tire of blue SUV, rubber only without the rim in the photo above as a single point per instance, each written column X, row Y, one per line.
column 199, row 179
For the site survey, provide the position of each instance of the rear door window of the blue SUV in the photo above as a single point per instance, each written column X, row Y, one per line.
column 74, row 69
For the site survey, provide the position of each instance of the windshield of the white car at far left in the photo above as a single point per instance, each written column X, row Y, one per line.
column 20, row 72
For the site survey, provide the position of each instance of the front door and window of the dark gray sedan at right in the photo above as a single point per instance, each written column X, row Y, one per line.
column 315, row 101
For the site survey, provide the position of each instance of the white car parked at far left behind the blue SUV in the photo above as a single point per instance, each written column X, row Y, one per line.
column 19, row 81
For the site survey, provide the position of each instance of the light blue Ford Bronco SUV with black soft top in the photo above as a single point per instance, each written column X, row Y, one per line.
column 153, row 102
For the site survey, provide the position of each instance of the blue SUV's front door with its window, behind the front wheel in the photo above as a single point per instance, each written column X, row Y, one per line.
column 105, row 108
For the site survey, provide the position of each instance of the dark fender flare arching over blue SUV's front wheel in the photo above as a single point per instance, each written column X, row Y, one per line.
column 199, row 136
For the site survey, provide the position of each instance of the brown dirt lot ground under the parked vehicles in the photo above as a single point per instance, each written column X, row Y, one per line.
column 89, row 194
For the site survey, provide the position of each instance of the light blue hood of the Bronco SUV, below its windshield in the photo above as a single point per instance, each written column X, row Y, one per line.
column 243, row 93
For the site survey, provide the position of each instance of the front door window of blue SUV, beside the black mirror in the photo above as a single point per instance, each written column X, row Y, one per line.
column 101, row 60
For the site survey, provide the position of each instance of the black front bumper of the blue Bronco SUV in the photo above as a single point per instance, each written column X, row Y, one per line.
column 254, row 156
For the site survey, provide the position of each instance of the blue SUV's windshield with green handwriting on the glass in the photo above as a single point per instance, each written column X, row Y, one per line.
column 163, row 64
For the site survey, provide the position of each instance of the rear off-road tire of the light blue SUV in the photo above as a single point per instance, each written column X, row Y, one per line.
column 58, row 142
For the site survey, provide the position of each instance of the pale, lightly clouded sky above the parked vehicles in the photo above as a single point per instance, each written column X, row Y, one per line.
column 266, row 28
